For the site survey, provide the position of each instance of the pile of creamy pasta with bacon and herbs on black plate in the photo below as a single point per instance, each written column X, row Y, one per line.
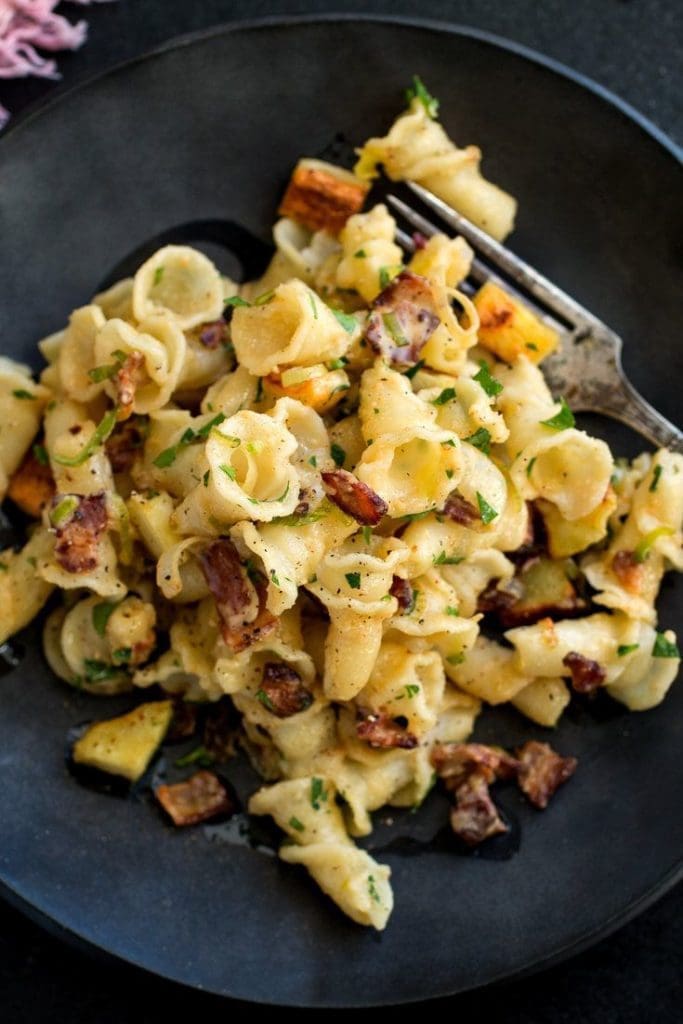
column 305, row 494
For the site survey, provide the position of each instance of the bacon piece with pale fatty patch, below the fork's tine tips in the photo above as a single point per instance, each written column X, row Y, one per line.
column 403, row 320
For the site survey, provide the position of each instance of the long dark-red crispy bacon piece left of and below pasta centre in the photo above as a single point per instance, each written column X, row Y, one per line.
column 241, row 603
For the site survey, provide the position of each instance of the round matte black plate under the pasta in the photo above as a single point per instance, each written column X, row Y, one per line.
column 207, row 132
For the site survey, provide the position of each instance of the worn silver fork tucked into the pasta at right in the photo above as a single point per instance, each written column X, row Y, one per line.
column 587, row 368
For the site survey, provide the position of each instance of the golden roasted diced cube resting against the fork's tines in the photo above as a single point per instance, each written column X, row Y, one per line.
column 509, row 329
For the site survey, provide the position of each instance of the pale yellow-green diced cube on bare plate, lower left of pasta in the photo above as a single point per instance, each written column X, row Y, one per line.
column 126, row 745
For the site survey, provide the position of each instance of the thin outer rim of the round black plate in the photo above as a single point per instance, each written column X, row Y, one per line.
column 44, row 106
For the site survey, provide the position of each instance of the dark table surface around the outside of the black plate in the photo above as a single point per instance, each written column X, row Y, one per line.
column 634, row 48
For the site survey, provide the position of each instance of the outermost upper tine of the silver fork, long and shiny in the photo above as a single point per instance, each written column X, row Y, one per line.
column 521, row 272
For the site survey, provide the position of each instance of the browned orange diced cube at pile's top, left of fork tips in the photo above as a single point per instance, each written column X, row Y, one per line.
column 323, row 197
